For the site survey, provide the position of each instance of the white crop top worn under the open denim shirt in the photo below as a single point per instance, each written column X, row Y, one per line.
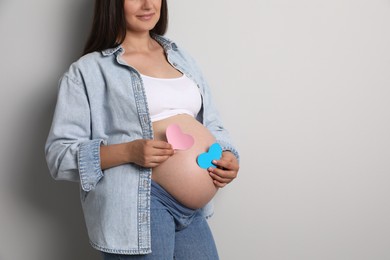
column 170, row 97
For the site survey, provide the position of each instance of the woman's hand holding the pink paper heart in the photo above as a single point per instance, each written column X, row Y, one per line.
column 149, row 153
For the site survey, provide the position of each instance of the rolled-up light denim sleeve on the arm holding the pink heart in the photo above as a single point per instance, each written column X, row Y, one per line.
column 71, row 153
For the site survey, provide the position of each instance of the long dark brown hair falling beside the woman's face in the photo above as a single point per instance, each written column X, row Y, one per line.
column 109, row 25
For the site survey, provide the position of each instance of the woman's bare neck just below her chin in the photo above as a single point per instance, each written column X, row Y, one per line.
column 138, row 42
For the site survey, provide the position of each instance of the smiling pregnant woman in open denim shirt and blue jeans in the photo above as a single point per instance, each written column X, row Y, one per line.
column 142, row 197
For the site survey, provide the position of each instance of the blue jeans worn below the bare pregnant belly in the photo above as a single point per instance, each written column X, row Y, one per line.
column 177, row 232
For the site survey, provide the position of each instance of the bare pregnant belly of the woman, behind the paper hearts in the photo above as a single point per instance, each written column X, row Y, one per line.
column 180, row 175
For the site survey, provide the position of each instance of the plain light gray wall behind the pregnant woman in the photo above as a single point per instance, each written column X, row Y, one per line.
column 303, row 87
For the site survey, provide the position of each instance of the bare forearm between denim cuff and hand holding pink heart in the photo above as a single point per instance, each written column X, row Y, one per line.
column 114, row 155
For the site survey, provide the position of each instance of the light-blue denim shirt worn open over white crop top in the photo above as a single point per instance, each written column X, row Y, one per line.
column 101, row 101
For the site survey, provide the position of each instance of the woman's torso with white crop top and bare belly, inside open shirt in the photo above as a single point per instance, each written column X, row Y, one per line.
column 169, row 91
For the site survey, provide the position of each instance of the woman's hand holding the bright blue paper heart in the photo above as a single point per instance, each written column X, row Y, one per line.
column 226, row 170
